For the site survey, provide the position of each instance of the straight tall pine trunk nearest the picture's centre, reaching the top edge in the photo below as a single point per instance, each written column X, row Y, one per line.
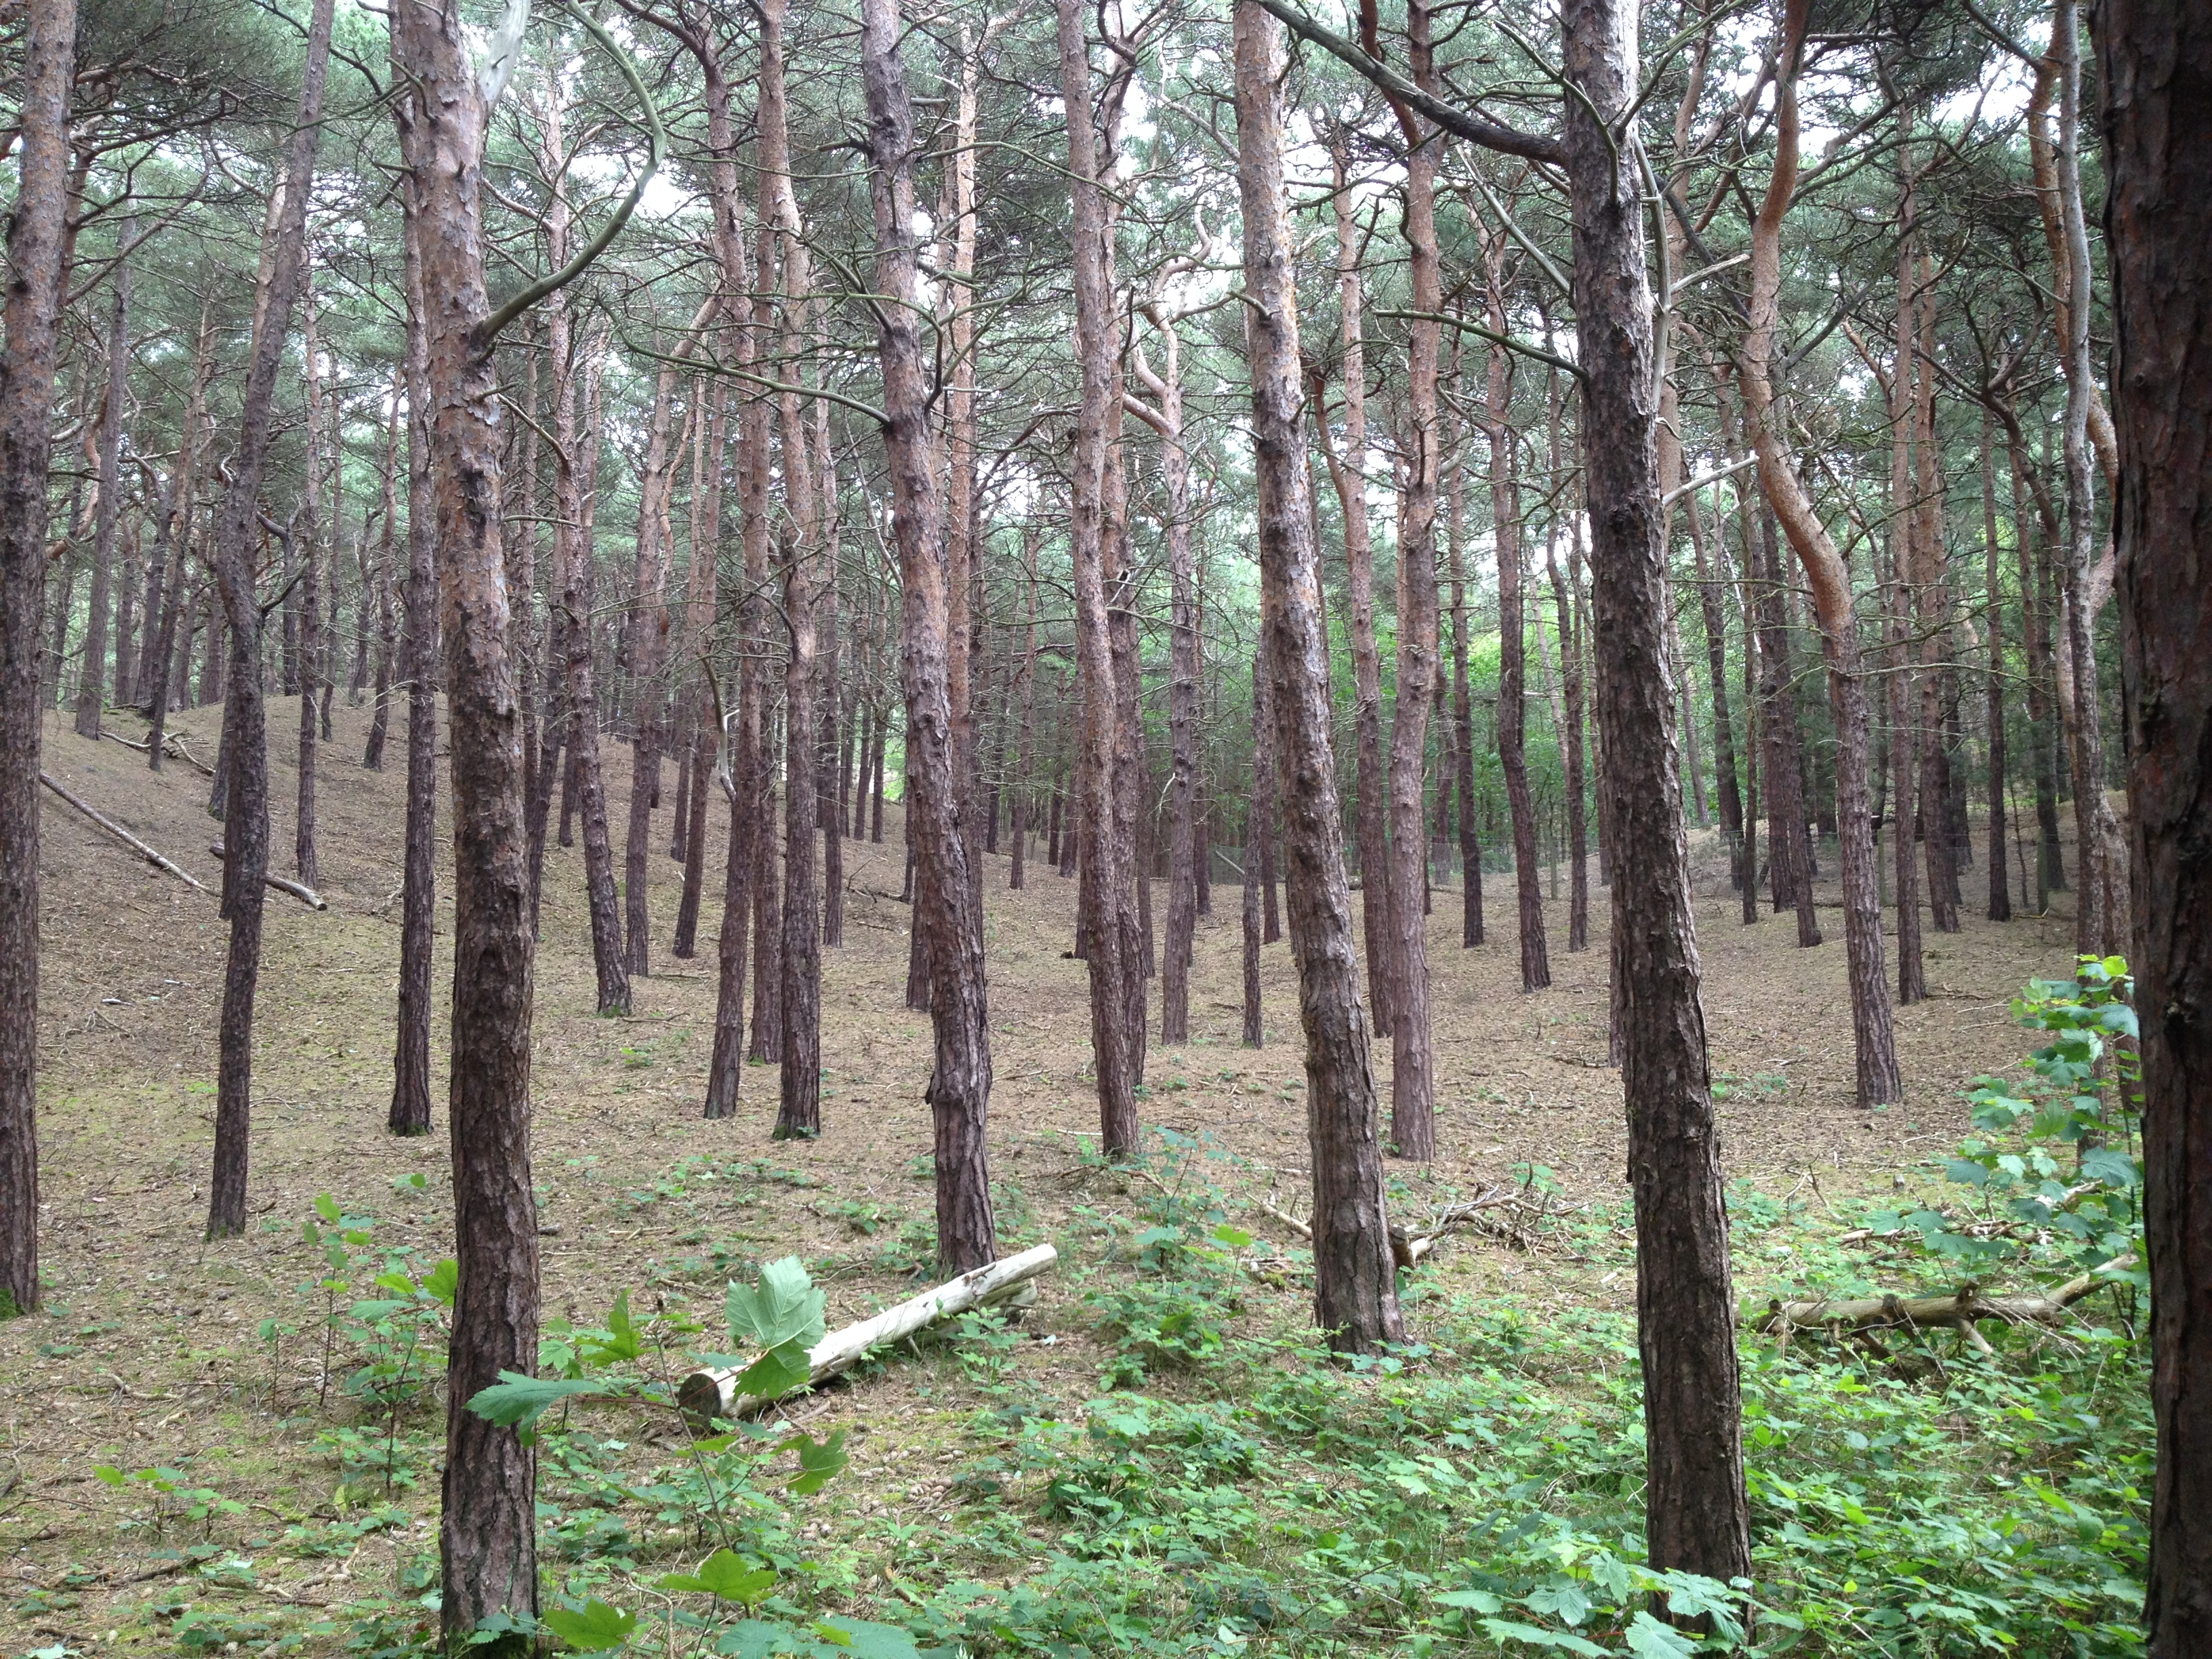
column 1109, row 890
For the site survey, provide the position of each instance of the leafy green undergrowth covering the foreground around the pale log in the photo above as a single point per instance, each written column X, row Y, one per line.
column 1176, row 1468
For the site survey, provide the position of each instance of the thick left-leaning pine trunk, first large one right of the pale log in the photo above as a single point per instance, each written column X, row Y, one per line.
column 1355, row 1280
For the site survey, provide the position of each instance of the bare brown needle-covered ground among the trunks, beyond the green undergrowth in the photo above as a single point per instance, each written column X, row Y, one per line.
column 149, row 1350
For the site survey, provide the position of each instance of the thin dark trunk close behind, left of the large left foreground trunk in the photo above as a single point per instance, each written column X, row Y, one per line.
column 419, row 870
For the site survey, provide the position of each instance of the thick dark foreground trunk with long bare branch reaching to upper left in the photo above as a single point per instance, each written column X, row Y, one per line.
column 1695, row 1505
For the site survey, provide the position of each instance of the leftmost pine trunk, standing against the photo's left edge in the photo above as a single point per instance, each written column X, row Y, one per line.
column 39, row 262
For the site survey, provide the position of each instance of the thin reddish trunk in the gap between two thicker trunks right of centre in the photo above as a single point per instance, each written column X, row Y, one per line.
column 1350, row 477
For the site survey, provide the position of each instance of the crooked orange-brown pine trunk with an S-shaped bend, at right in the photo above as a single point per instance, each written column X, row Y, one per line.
column 1875, row 1043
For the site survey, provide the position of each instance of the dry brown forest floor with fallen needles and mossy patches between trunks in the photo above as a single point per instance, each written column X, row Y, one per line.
column 167, row 1355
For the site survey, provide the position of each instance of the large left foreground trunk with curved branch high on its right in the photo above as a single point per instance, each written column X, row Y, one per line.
column 488, row 1512
